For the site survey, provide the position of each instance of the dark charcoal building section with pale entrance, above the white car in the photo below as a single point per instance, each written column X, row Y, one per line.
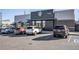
column 41, row 18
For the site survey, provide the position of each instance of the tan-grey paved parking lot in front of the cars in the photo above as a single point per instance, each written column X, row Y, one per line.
column 44, row 41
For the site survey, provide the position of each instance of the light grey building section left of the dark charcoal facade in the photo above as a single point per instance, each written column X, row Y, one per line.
column 22, row 20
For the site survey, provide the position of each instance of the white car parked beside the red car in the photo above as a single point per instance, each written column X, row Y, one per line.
column 33, row 30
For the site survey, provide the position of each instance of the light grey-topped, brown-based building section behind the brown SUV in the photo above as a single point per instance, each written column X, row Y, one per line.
column 66, row 17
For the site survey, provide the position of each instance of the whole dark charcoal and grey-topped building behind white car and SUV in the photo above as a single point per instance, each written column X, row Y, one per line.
column 50, row 18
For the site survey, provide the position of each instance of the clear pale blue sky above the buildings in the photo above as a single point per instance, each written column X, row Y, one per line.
column 10, row 13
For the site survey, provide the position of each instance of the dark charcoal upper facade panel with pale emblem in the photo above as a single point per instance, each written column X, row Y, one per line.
column 42, row 15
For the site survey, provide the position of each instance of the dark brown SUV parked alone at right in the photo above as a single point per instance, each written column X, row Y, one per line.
column 61, row 30
